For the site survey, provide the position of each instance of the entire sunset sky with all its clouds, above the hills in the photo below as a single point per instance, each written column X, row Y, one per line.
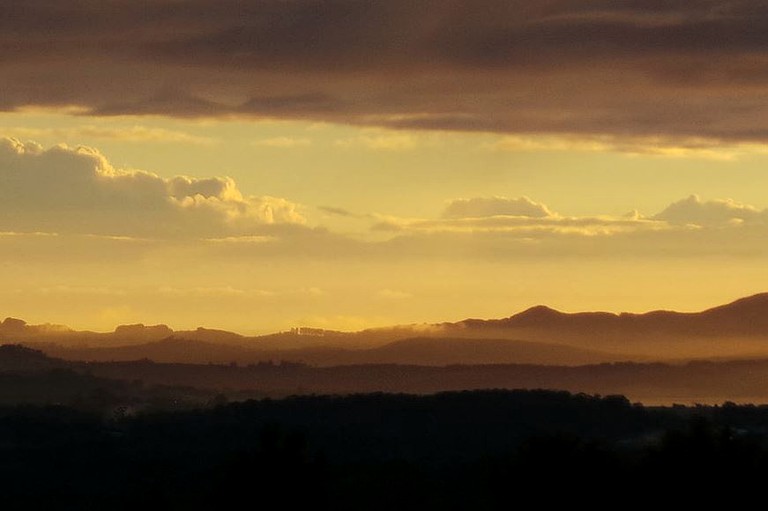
column 347, row 164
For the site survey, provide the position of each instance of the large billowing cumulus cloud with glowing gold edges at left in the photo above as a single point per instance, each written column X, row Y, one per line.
column 77, row 191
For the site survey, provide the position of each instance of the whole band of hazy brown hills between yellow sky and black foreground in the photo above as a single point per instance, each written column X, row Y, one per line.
column 659, row 357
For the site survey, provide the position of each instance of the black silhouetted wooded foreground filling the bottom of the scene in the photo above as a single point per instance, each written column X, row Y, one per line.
column 466, row 450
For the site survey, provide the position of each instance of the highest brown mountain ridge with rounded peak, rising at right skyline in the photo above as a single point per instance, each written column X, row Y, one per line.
column 737, row 329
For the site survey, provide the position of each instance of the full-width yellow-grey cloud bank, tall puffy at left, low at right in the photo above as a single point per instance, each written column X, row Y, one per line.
column 66, row 197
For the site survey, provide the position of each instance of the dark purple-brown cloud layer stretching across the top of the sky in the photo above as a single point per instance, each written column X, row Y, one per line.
column 680, row 70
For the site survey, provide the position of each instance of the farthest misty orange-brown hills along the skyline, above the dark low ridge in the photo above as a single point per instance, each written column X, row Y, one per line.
column 735, row 330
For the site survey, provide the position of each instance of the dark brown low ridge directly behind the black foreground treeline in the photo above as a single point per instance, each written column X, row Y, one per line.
column 29, row 376
